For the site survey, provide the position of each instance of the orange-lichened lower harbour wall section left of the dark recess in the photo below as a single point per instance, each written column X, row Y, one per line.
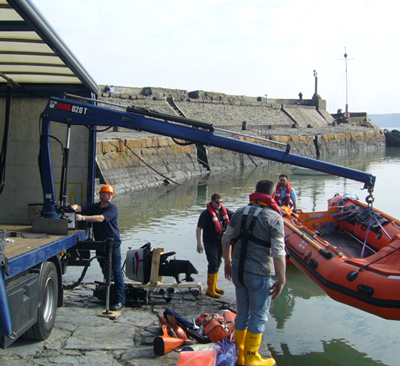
column 132, row 164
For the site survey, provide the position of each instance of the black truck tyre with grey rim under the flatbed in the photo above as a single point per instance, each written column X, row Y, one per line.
column 48, row 304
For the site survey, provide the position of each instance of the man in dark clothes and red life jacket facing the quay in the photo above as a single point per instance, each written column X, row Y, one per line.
column 213, row 221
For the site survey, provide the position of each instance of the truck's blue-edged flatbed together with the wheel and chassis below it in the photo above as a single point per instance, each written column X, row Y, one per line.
column 33, row 279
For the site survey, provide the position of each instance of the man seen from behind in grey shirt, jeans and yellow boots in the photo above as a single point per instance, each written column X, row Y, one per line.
column 257, row 231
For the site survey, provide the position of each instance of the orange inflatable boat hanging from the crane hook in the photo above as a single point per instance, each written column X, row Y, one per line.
column 352, row 251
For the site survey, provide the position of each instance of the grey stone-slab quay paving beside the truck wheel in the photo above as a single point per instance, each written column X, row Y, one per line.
column 81, row 337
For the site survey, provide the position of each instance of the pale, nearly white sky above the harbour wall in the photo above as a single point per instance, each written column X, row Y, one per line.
column 252, row 47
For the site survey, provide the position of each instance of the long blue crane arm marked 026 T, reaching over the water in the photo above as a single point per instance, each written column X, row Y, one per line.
column 78, row 113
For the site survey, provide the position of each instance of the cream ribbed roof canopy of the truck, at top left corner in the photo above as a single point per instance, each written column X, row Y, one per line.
column 33, row 56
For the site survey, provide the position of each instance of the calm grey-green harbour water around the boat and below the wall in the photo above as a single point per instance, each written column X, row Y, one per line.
column 305, row 326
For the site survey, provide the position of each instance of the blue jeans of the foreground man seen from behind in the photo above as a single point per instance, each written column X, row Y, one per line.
column 252, row 300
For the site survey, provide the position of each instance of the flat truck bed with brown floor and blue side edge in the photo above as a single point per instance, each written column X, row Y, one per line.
column 25, row 253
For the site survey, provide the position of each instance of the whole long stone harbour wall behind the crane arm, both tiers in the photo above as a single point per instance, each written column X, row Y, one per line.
column 131, row 160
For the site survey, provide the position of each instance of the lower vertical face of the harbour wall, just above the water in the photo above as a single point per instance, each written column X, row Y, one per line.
column 130, row 162
